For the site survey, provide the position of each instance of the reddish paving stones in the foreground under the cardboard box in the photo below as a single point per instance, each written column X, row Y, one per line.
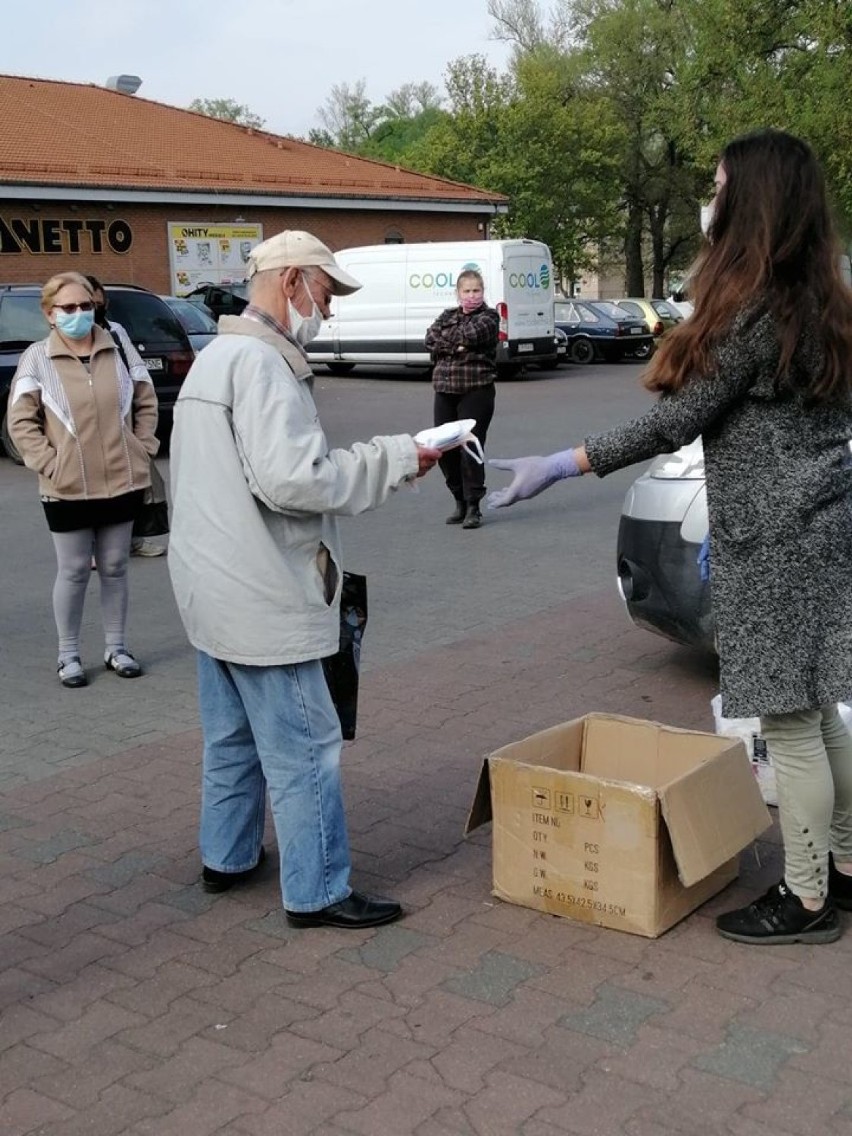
column 135, row 1004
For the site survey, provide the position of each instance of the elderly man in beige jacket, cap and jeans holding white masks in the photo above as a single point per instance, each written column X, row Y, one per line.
column 256, row 566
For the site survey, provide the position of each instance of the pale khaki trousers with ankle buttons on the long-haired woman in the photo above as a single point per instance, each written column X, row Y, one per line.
column 812, row 751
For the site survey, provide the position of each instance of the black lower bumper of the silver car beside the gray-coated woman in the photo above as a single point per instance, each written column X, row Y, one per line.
column 661, row 583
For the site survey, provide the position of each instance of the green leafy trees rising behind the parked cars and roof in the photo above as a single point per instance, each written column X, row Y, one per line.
column 606, row 129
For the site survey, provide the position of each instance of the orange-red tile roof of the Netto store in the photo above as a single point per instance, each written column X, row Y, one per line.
column 55, row 133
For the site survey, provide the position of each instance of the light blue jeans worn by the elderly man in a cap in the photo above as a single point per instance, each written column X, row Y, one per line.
column 277, row 729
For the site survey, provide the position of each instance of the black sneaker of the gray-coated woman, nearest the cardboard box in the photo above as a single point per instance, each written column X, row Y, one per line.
column 779, row 918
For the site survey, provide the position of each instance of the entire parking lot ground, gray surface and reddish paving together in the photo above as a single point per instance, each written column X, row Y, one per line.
column 135, row 1004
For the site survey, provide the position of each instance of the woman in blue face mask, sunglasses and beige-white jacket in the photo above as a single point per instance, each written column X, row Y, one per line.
column 86, row 424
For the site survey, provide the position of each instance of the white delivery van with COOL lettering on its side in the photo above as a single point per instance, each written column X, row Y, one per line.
column 406, row 287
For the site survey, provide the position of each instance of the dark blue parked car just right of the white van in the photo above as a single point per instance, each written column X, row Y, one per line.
column 602, row 330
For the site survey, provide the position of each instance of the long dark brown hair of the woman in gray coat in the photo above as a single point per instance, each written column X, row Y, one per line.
column 772, row 247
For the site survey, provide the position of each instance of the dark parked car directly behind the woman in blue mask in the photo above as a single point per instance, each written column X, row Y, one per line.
column 149, row 322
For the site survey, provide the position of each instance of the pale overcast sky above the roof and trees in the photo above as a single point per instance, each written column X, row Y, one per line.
column 279, row 57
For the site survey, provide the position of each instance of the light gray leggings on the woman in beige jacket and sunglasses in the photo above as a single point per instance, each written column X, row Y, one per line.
column 112, row 548
